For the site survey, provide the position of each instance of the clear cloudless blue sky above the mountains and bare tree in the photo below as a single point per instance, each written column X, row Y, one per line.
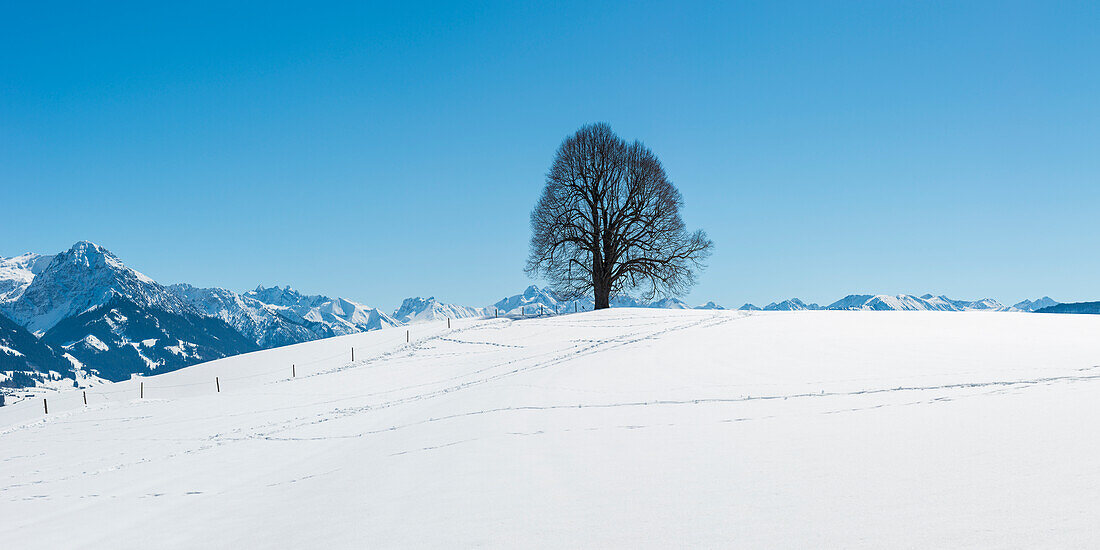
column 378, row 152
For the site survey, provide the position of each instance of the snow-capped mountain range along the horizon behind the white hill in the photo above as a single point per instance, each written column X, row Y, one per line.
column 83, row 317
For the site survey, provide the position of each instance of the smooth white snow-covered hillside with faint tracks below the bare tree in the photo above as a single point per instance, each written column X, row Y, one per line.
column 622, row 428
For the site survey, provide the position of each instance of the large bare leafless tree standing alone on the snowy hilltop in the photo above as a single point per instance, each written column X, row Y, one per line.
column 609, row 222
